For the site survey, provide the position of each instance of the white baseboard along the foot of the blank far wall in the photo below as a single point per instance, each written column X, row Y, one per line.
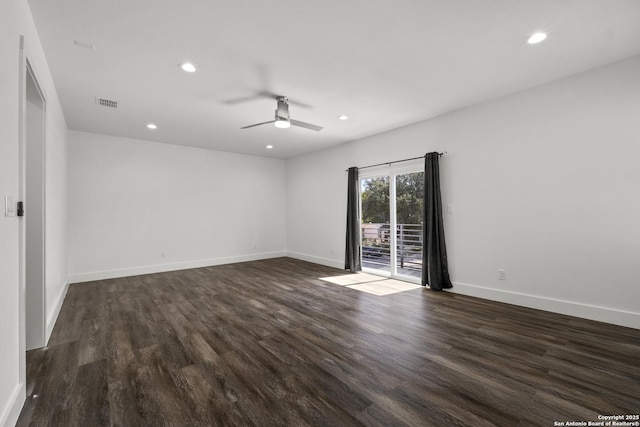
column 161, row 268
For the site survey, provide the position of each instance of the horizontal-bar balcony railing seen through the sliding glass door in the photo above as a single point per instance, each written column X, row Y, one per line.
column 376, row 248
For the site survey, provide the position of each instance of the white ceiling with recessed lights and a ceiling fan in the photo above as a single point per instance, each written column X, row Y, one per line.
column 385, row 64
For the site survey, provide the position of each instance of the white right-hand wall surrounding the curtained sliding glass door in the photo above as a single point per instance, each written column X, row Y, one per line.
column 545, row 183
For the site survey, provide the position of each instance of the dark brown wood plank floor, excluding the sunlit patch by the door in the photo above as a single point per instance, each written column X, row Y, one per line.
column 267, row 343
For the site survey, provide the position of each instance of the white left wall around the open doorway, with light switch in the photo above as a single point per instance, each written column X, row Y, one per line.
column 15, row 19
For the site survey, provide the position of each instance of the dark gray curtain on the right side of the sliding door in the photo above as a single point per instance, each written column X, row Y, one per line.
column 435, row 271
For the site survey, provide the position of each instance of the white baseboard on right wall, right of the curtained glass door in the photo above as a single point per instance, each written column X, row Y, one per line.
column 601, row 314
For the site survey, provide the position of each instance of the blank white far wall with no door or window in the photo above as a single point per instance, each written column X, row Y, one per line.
column 131, row 200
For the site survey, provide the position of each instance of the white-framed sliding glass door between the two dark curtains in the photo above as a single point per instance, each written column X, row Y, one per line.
column 392, row 224
